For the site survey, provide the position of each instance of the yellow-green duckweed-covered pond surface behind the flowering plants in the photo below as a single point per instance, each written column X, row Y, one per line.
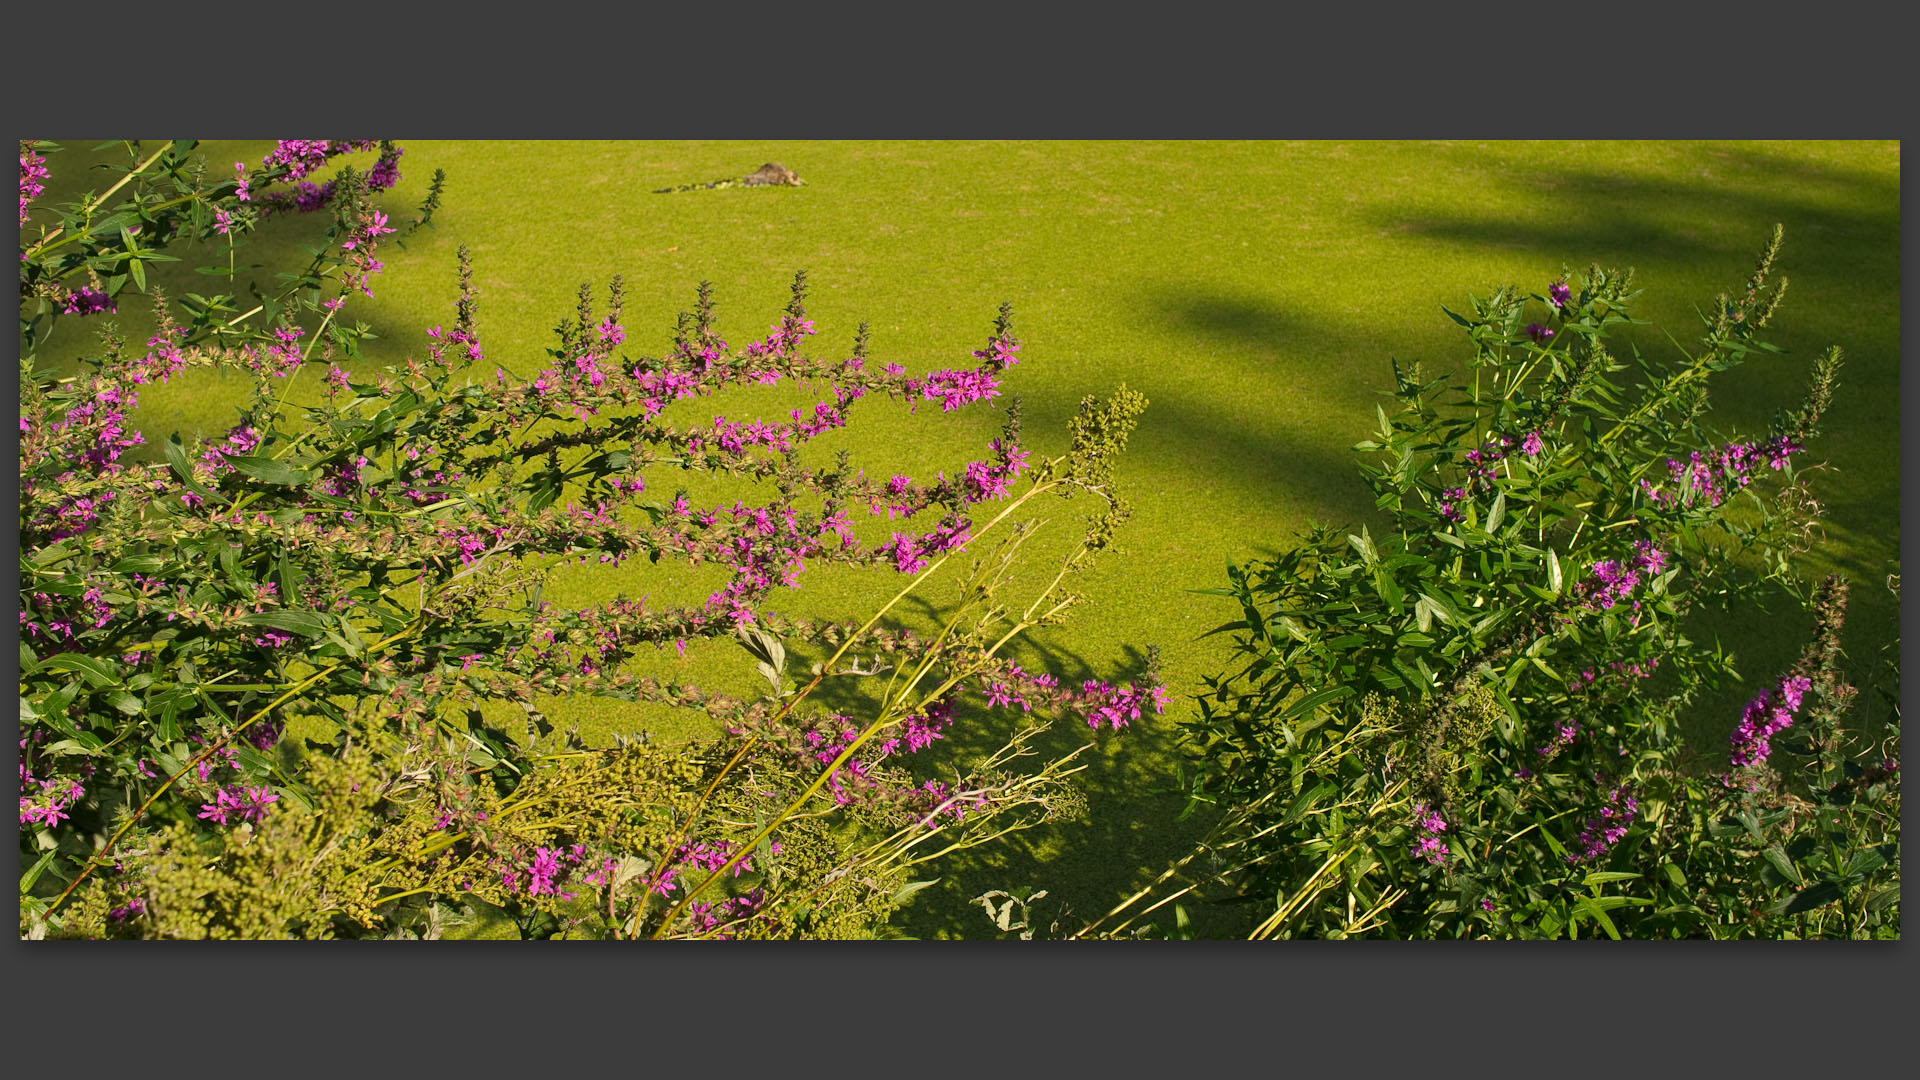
column 1255, row 293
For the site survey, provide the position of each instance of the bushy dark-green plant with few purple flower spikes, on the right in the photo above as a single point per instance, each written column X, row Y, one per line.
column 1474, row 722
